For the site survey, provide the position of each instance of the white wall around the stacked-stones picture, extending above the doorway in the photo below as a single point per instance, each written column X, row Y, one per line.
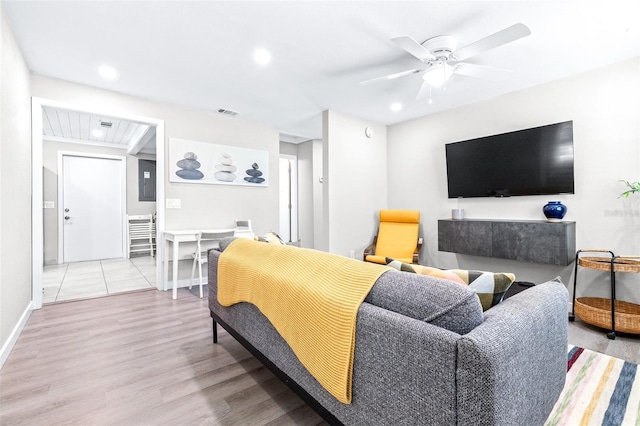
column 202, row 206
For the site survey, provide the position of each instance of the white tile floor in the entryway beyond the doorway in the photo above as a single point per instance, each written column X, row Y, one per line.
column 97, row 278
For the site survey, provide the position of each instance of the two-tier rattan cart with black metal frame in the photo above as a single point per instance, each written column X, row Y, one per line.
column 611, row 314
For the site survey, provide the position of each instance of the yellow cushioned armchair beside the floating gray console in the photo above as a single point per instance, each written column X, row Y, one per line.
column 397, row 237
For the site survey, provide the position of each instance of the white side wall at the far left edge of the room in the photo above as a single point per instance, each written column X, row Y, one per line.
column 15, row 190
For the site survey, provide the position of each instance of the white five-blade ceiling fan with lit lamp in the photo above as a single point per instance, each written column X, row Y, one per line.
column 441, row 58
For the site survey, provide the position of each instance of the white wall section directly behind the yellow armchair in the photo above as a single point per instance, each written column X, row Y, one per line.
column 355, row 182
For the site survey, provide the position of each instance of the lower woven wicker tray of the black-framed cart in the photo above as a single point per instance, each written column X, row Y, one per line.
column 597, row 311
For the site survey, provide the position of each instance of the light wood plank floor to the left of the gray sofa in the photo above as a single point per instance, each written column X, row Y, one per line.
column 139, row 359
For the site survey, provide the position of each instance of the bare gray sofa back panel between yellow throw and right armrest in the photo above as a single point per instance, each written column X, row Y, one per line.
column 404, row 371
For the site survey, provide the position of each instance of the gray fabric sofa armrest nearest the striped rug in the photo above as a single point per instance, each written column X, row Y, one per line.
column 512, row 368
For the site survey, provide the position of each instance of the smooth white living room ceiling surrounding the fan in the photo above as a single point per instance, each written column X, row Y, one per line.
column 199, row 54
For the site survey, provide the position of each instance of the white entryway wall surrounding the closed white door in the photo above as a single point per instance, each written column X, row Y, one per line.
column 50, row 175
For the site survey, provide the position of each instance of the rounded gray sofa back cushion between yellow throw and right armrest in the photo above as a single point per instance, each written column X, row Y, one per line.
column 439, row 302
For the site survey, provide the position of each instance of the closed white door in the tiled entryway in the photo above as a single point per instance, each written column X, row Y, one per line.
column 92, row 208
